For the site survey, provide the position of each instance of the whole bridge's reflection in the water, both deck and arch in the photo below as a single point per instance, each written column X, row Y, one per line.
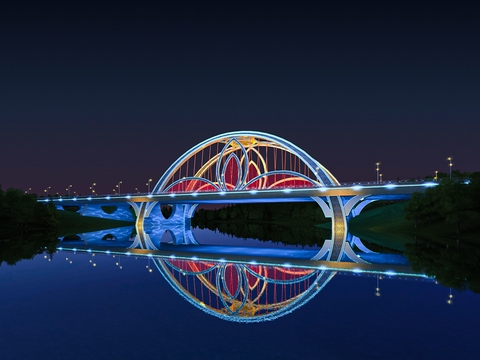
column 238, row 283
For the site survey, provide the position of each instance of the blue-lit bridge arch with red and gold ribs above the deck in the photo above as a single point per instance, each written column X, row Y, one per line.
column 243, row 160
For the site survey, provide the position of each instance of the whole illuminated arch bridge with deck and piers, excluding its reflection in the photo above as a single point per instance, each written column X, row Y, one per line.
column 243, row 166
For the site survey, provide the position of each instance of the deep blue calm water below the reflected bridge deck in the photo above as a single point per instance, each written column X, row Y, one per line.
column 108, row 306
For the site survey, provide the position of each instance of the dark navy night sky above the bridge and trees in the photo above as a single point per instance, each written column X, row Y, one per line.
column 103, row 93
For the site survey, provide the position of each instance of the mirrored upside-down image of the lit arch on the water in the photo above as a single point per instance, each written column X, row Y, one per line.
column 240, row 292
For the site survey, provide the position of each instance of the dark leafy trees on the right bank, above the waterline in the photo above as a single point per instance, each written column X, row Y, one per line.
column 455, row 201
